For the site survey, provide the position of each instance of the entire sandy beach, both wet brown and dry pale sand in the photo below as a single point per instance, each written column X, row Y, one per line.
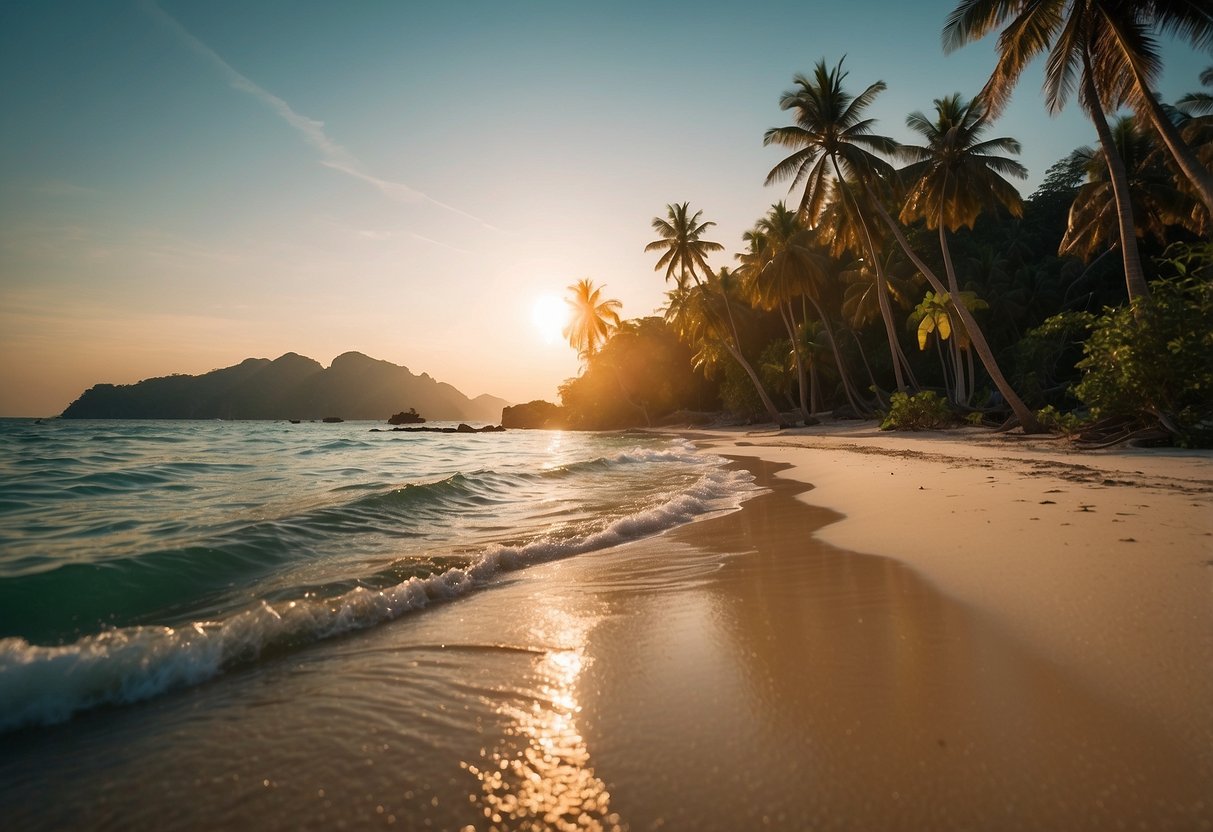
column 950, row 631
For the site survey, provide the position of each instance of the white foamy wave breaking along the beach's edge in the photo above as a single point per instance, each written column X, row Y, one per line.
column 48, row 685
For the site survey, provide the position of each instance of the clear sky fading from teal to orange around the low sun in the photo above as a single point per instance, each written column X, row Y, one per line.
column 189, row 184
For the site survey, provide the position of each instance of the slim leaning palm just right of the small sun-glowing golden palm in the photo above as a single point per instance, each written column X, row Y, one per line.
column 685, row 255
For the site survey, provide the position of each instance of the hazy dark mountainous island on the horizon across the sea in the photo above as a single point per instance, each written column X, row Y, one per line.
column 293, row 386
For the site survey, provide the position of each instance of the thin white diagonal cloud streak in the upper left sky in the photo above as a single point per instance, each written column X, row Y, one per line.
column 333, row 155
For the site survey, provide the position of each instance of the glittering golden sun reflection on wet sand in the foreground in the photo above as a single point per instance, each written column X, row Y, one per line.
column 540, row 774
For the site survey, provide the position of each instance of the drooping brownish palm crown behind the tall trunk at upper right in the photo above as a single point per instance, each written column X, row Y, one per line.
column 1158, row 204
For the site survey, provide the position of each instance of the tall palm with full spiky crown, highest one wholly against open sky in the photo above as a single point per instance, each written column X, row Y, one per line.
column 833, row 141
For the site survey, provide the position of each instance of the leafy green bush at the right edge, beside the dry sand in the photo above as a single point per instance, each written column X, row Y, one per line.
column 1154, row 360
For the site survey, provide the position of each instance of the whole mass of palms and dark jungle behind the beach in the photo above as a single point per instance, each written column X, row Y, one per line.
column 914, row 282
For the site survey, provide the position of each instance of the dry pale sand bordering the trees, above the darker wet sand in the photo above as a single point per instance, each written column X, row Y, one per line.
column 1101, row 561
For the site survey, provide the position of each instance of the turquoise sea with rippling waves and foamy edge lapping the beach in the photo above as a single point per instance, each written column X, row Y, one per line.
column 144, row 557
